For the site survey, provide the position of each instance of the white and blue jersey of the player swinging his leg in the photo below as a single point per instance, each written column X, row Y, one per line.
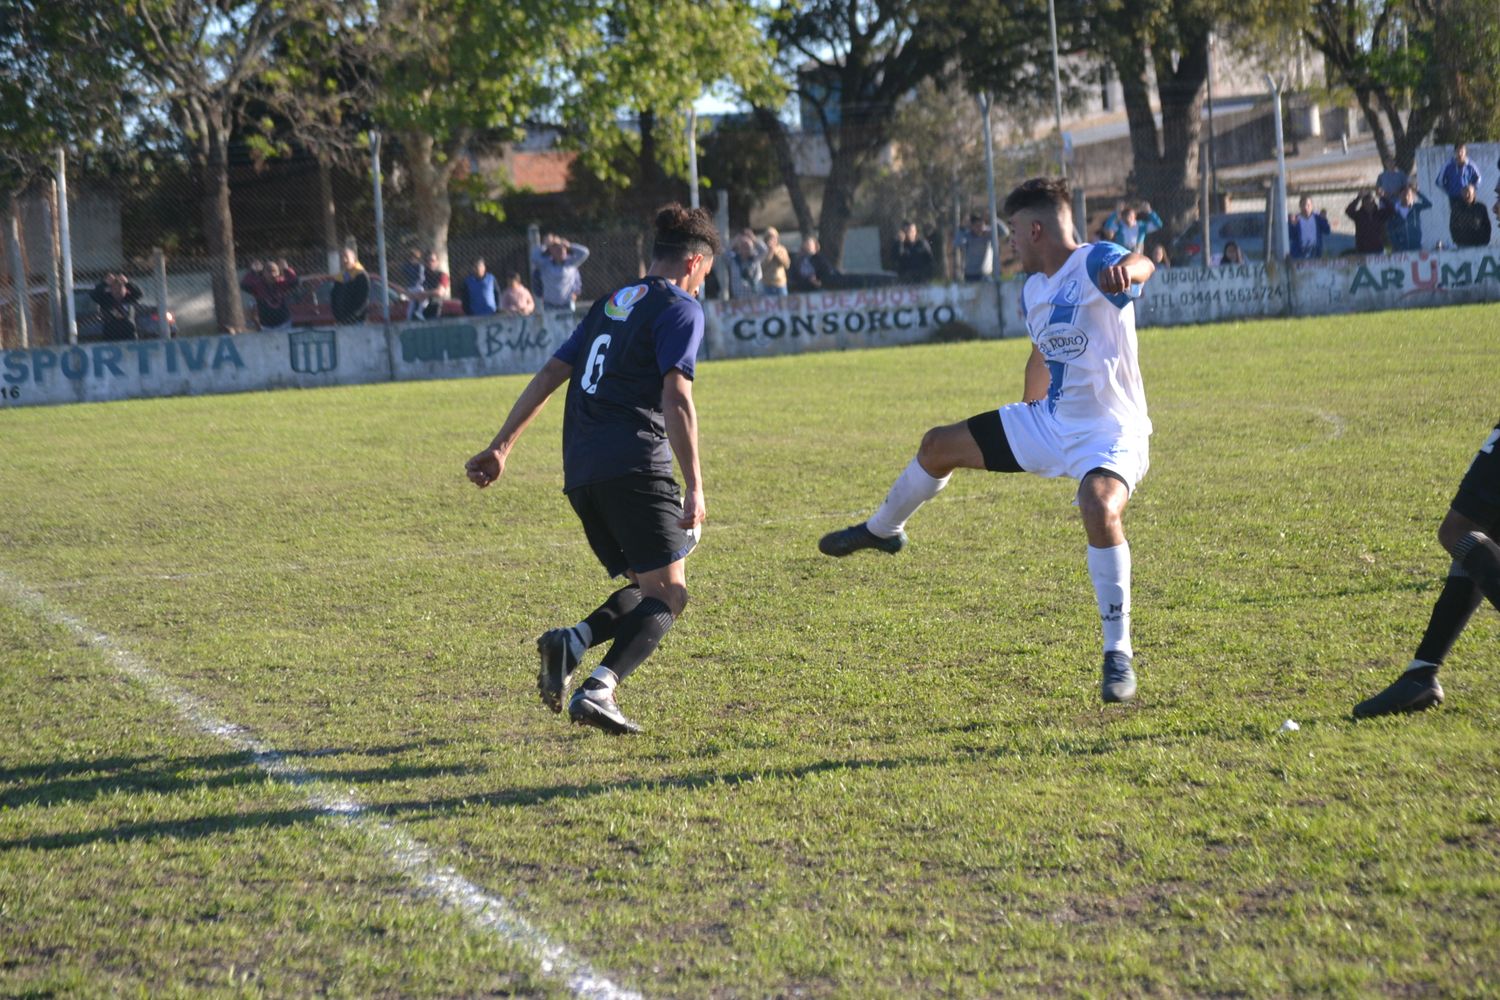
column 1088, row 341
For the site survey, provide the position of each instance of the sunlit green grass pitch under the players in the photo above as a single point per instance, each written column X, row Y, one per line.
column 877, row 777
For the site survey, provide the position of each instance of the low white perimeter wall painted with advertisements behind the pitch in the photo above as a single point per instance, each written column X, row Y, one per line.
column 755, row 328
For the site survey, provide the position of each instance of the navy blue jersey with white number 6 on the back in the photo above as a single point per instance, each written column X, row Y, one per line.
column 622, row 352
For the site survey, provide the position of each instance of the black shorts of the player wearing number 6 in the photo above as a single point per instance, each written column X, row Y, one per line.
column 631, row 522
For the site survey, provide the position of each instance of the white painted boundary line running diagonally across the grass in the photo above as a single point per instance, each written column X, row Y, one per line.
column 401, row 851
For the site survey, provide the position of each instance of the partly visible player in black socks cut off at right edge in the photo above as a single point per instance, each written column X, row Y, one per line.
column 1469, row 534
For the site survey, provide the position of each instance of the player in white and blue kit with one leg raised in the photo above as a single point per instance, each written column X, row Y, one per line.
column 1084, row 412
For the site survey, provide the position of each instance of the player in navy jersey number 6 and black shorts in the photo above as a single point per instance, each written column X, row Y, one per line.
column 629, row 370
